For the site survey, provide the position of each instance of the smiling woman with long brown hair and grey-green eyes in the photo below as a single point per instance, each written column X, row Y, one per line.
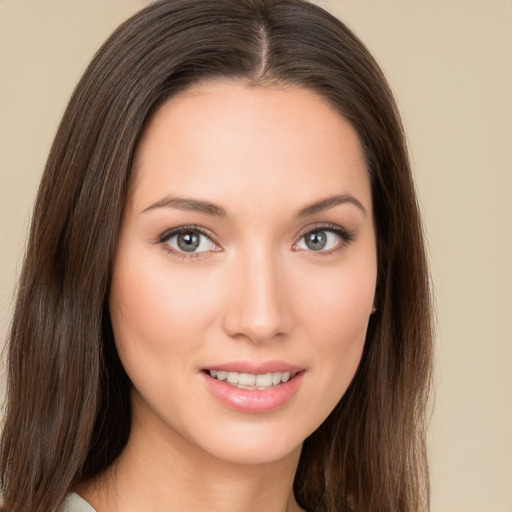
column 224, row 302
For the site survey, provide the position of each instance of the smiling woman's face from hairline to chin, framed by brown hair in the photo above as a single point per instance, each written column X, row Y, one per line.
column 245, row 272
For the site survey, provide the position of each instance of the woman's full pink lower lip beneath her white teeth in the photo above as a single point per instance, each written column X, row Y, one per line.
column 254, row 401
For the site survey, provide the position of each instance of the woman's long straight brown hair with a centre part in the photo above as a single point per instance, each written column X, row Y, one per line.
column 68, row 409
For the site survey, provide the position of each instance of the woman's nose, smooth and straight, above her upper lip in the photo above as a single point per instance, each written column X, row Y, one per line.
column 257, row 306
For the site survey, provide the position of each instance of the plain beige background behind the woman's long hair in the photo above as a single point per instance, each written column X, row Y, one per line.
column 450, row 65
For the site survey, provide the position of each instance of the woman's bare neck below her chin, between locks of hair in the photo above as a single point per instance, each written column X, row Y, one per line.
column 165, row 472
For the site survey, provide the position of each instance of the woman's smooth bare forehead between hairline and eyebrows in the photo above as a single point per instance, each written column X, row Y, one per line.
column 225, row 139
